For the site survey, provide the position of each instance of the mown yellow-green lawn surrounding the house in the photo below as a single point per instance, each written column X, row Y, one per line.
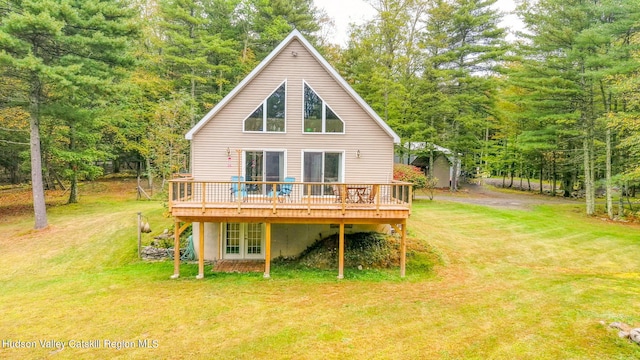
column 509, row 285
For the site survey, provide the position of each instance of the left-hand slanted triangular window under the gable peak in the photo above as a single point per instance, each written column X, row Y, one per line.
column 270, row 115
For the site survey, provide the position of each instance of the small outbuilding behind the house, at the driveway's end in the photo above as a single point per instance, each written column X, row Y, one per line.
column 445, row 164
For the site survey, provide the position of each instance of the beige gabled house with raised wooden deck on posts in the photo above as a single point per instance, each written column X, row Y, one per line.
column 292, row 153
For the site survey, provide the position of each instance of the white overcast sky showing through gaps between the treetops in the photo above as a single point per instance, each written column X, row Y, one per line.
column 345, row 12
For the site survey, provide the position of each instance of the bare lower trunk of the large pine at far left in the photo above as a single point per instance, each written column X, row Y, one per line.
column 37, row 185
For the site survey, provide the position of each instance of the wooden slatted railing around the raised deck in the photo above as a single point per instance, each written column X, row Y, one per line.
column 276, row 194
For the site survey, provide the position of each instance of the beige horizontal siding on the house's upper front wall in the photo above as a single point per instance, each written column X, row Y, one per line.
column 225, row 130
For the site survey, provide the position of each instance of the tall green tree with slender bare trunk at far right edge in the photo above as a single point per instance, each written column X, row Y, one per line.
column 575, row 47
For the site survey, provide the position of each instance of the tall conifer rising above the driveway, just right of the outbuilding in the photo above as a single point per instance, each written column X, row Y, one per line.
column 464, row 46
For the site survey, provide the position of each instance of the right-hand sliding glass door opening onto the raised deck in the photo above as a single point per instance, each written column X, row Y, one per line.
column 322, row 167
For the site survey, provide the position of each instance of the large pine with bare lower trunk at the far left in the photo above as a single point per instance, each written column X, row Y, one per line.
column 59, row 47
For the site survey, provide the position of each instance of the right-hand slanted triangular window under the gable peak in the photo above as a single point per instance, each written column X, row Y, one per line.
column 318, row 116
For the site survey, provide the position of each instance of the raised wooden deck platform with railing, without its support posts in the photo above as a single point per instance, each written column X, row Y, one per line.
column 302, row 202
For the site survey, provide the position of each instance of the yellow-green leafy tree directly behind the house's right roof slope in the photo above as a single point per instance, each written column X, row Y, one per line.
column 383, row 63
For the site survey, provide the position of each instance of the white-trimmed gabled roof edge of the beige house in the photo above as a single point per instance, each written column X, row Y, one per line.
column 295, row 34
